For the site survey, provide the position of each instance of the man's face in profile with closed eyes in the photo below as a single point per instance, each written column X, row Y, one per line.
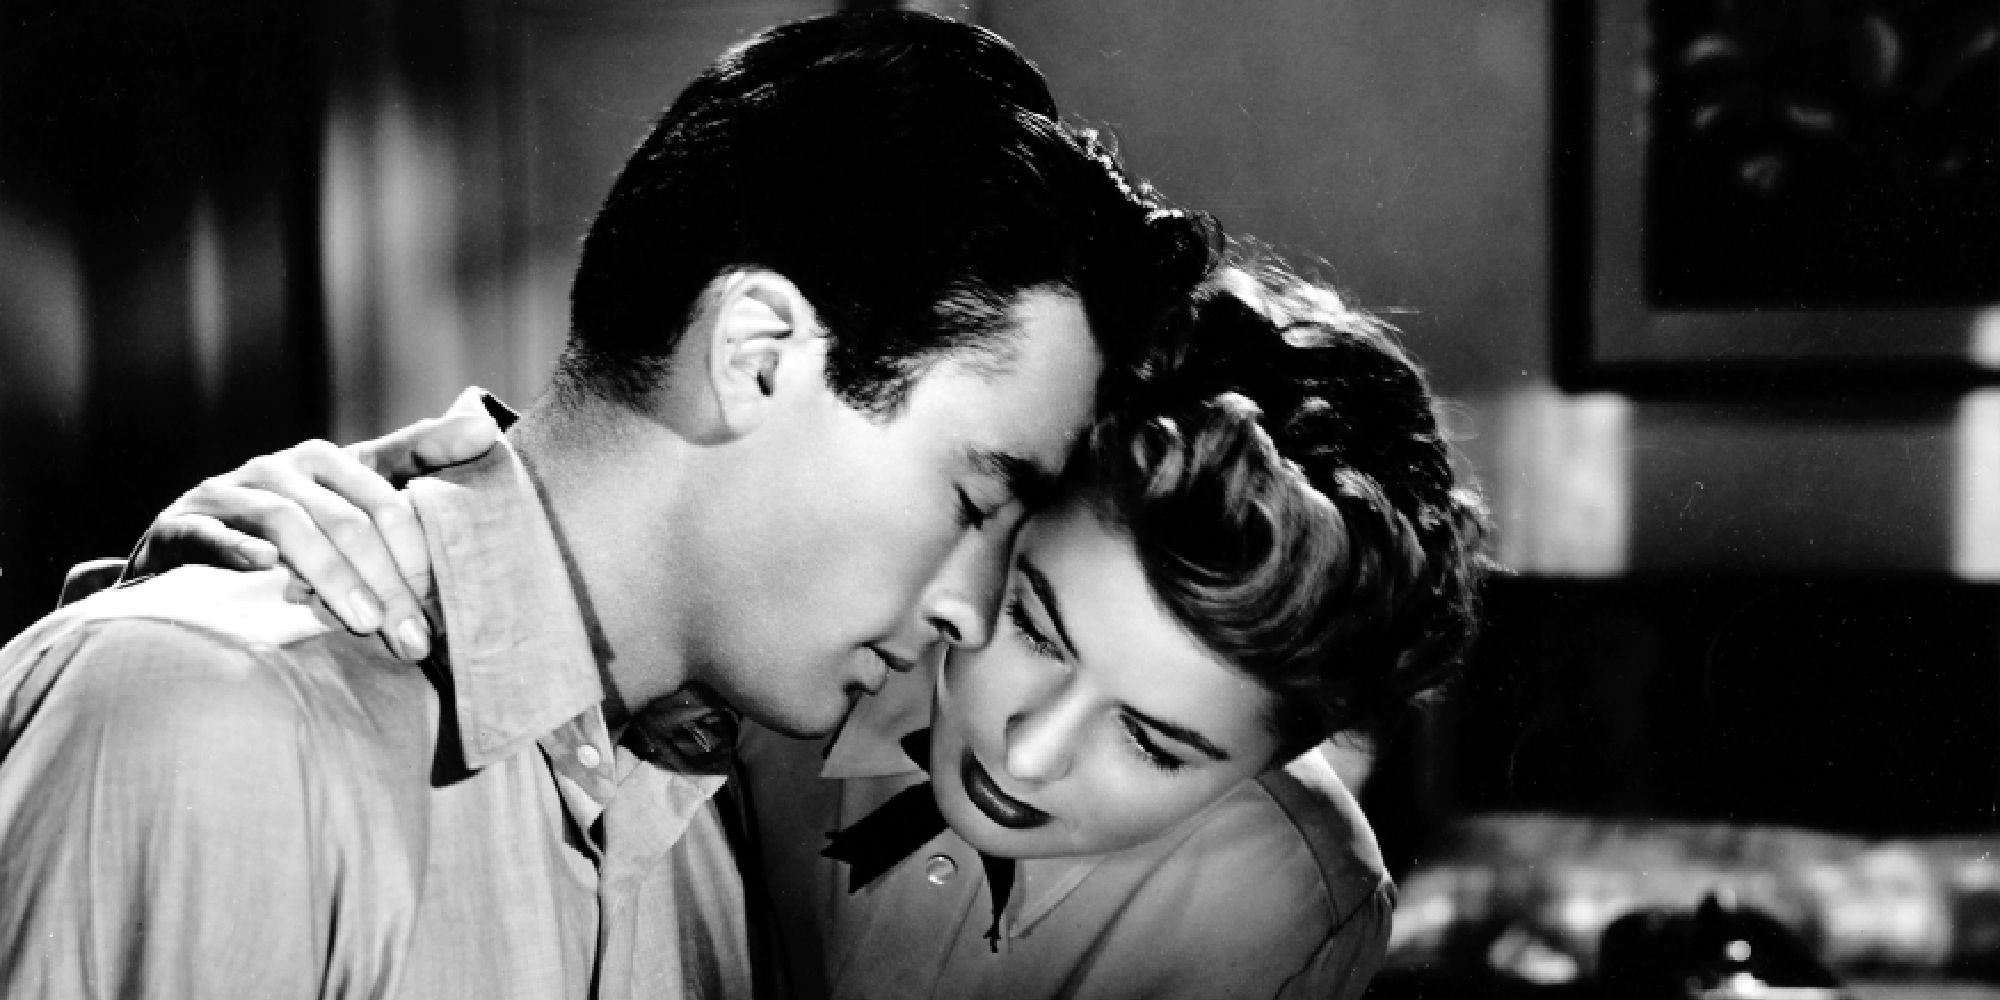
column 857, row 545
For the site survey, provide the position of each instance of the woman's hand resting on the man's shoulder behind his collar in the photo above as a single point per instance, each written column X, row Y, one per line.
column 333, row 515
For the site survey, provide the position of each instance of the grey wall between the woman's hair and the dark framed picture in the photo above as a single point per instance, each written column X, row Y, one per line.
column 1409, row 147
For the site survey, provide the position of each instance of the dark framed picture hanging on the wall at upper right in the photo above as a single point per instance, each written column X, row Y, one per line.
column 1777, row 197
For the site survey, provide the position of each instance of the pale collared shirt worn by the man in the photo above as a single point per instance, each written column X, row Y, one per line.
column 209, row 789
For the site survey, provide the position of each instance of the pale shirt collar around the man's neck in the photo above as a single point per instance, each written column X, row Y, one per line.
column 515, row 641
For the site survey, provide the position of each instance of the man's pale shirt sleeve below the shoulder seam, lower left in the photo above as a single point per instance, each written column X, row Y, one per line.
column 157, row 815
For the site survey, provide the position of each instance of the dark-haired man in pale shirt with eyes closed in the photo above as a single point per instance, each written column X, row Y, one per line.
column 835, row 327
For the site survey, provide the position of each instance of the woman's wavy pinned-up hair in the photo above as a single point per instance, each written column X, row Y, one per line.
column 1293, row 501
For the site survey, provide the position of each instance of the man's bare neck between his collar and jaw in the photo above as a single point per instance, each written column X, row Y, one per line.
column 617, row 543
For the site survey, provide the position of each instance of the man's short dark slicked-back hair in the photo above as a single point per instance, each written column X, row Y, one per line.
column 907, row 173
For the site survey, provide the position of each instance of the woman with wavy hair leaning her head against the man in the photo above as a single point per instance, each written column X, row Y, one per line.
column 1267, row 549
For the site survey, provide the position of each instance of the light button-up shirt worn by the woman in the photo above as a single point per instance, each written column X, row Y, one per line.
column 1277, row 891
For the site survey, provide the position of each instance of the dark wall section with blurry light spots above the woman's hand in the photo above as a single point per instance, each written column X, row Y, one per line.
column 159, row 311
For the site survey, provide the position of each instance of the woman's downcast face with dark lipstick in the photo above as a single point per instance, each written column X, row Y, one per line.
column 1093, row 721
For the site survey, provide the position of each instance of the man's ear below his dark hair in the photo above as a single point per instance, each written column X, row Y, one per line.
column 763, row 329
